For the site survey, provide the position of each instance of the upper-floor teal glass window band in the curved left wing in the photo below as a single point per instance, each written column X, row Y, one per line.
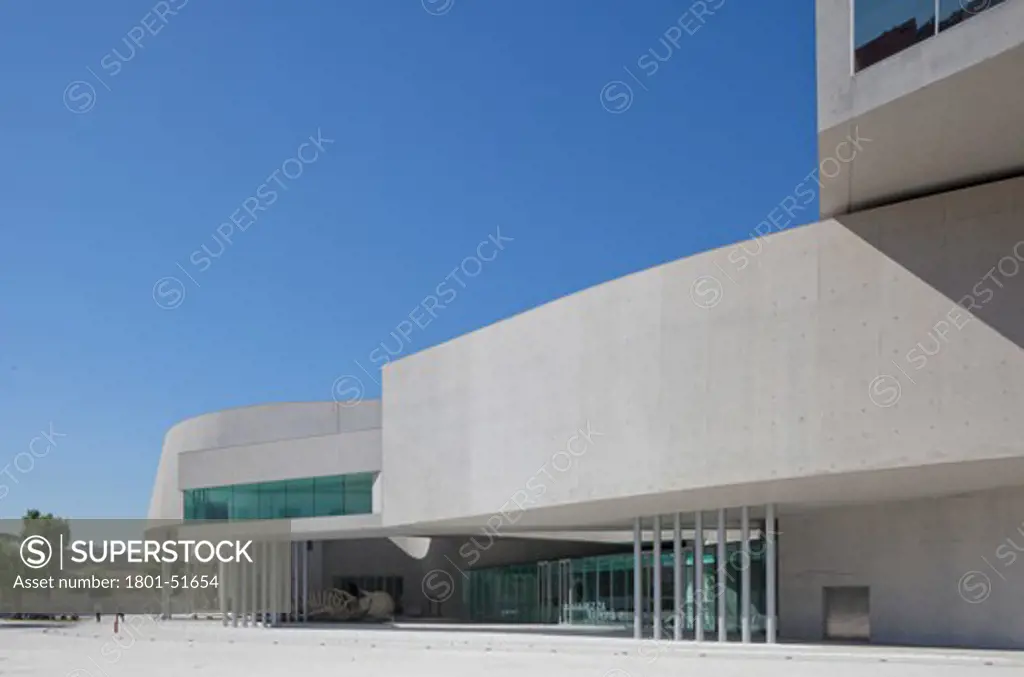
column 312, row 497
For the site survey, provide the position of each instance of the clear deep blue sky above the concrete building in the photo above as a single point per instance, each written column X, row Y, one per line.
column 445, row 128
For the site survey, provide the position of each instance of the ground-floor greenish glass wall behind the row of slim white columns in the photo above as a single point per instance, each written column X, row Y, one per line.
column 600, row 590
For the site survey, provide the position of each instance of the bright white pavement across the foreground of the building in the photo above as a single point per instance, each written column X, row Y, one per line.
column 156, row 649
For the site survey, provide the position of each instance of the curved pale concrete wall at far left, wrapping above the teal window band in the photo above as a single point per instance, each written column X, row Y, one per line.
column 266, row 443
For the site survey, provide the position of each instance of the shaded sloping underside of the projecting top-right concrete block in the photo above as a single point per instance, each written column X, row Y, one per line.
column 958, row 132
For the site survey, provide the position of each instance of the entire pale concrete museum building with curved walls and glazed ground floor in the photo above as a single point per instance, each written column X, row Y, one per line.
column 813, row 435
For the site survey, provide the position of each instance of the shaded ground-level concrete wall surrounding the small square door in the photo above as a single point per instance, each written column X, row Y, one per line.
column 928, row 563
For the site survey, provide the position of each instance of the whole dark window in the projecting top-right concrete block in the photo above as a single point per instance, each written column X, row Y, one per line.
column 884, row 28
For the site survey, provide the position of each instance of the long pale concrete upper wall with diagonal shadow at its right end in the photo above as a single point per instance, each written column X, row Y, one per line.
column 767, row 387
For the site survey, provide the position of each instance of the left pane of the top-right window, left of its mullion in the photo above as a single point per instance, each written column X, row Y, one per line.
column 883, row 28
